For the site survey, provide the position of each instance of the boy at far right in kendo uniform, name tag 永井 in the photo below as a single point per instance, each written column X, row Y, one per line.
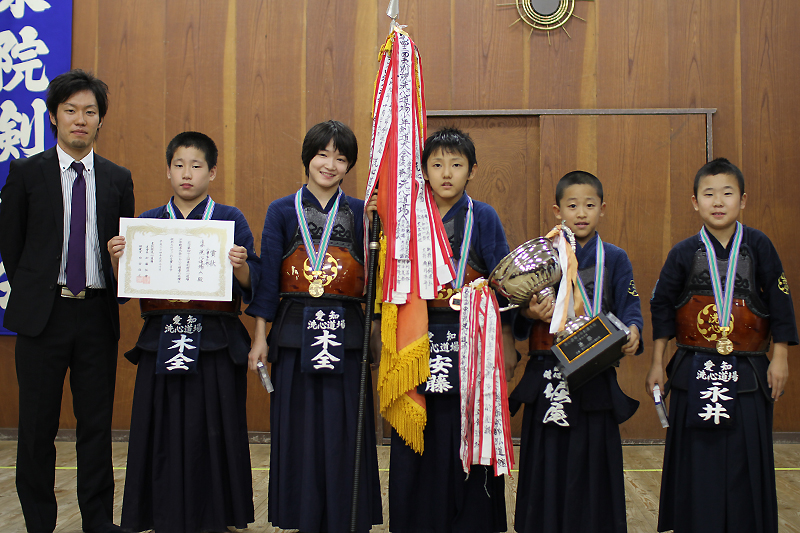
column 719, row 472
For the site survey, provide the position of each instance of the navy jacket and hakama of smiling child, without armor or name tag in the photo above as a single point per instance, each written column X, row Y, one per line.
column 313, row 416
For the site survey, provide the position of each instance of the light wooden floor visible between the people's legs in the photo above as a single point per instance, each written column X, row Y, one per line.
column 642, row 477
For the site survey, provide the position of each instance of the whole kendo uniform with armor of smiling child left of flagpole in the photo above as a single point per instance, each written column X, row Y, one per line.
column 315, row 347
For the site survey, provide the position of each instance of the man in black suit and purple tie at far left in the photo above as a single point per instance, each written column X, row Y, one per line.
column 57, row 211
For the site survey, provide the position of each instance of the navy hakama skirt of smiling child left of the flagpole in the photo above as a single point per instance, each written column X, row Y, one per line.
column 313, row 443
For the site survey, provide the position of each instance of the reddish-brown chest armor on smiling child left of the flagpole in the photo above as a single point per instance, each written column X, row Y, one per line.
column 343, row 269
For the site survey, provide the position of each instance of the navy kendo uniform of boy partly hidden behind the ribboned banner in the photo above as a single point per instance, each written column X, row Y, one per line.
column 431, row 493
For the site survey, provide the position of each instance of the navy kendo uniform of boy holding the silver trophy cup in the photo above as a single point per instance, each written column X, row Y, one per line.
column 570, row 467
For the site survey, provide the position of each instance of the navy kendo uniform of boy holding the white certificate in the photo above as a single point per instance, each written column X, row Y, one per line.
column 188, row 464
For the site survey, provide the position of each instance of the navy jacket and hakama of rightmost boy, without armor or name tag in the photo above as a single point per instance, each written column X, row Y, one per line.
column 722, row 479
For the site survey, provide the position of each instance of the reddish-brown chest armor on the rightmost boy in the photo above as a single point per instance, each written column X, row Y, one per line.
column 697, row 323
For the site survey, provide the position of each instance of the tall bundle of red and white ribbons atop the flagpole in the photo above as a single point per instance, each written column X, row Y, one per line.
column 418, row 253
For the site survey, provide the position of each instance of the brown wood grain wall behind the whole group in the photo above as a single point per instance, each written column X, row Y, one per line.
column 256, row 74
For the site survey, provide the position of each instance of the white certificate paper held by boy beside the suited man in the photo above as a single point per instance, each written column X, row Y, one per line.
column 176, row 259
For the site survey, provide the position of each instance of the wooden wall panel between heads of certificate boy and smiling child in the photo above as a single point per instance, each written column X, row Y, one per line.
column 270, row 119
